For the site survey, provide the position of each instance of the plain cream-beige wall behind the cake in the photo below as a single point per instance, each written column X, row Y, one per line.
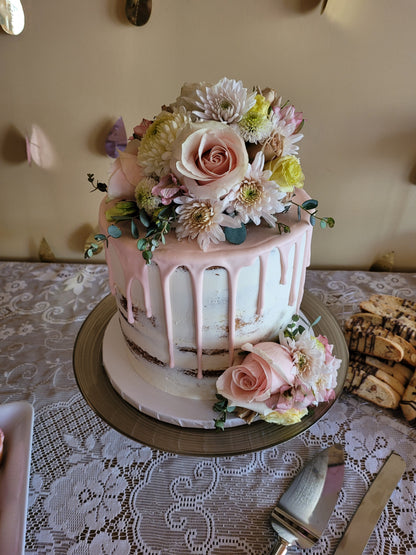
column 78, row 66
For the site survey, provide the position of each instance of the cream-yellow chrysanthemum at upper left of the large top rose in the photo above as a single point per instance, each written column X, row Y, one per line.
column 155, row 148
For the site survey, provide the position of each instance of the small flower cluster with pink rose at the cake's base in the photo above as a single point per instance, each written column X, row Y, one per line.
column 279, row 381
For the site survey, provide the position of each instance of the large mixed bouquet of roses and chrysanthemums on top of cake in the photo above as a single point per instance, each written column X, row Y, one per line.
column 217, row 159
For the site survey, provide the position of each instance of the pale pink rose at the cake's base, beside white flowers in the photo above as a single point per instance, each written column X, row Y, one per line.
column 265, row 371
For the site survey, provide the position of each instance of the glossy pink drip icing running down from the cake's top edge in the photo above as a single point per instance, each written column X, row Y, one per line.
column 195, row 261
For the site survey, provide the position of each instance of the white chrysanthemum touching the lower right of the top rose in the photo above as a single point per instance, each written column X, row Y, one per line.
column 256, row 197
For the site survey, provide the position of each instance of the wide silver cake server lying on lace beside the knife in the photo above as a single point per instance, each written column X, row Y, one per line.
column 303, row 511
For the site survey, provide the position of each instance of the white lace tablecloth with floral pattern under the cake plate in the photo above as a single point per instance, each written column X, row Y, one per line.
column 94, row 491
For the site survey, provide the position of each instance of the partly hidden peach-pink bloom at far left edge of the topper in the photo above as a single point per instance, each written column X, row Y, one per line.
column 125, row 173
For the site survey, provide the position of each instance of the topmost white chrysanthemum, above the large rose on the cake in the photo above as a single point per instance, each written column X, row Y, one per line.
column 227, row 101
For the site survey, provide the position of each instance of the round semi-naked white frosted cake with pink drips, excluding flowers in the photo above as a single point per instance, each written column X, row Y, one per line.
column 190, row 311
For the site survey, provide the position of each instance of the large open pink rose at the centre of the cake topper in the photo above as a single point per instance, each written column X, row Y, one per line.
column 211, row 159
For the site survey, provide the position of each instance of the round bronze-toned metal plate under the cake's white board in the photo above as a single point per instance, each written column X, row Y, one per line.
column 100, row 395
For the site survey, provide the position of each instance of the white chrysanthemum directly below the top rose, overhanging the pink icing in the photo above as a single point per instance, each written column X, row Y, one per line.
column 202, row 220
